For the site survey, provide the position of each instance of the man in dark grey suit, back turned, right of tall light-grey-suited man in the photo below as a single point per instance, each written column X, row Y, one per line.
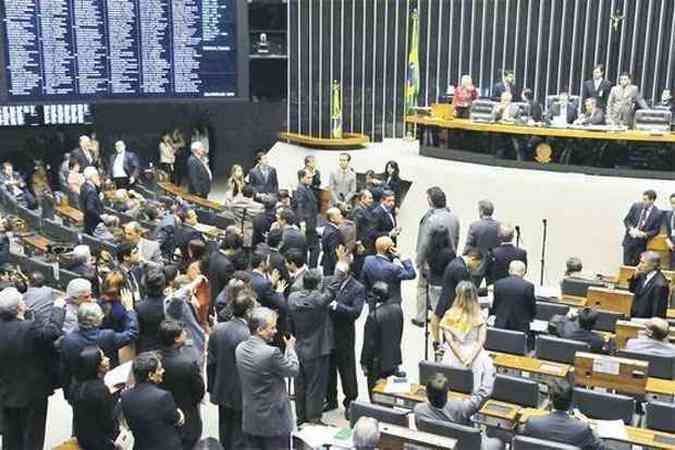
column 483, row 234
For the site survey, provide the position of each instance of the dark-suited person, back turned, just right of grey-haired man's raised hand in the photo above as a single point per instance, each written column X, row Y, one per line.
column 150, row 312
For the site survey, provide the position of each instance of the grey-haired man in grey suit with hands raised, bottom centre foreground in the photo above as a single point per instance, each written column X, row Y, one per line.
column 267, row 418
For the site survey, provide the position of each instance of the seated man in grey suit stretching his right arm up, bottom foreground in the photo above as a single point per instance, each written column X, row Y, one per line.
column 440, row 408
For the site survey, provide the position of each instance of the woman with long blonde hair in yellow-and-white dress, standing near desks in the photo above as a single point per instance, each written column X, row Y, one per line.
column 464, row 331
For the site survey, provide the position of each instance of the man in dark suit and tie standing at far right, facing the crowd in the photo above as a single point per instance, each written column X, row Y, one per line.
column 642, row 223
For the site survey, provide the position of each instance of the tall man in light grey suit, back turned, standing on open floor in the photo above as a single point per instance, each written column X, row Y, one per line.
column 438, row 215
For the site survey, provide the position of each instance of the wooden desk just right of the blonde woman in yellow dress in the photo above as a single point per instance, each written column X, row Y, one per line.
column 523, row 366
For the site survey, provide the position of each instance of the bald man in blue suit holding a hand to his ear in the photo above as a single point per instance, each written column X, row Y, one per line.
column 387, row 266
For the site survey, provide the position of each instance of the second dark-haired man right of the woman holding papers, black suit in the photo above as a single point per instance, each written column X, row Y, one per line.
column 183, row 378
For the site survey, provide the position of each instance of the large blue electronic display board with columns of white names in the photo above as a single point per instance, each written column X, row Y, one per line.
column 82, row 50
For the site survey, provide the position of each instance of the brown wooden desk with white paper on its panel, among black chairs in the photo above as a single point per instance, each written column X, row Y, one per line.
column 610, row 372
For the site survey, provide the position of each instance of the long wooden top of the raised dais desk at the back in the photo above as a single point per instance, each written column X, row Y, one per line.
column 465, row 124
